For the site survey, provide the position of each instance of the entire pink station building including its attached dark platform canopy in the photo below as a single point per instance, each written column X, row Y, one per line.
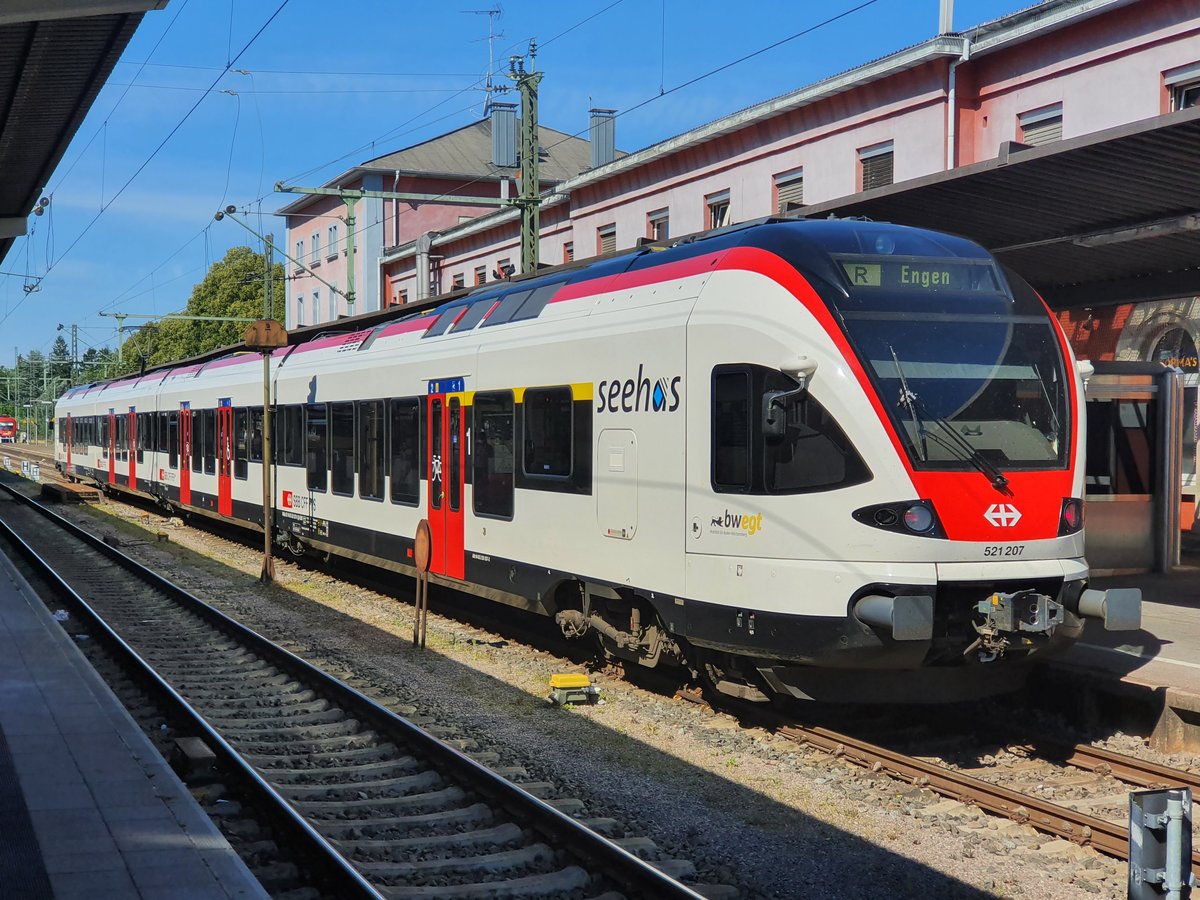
column 1064, row 137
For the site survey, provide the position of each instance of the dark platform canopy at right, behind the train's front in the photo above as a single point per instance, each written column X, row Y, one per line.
column 1103, row 219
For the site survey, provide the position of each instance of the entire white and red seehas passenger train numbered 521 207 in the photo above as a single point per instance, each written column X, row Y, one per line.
column 839, row 460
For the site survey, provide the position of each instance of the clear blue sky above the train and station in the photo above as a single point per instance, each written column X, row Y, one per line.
column 325, row 86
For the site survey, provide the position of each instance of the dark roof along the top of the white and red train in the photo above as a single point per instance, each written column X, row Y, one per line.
column 806, row 244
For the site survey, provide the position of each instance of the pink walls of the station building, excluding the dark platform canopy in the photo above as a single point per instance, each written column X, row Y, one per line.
column 1058, row 71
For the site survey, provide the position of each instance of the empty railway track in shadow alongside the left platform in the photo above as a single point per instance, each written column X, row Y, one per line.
column 381, row 807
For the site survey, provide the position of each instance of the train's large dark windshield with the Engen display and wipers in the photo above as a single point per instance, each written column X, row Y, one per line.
column 965, row 358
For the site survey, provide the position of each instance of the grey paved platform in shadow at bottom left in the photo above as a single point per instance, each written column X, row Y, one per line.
column 88, row 807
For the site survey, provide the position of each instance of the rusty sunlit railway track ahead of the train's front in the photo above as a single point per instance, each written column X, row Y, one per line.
column 1049, row 761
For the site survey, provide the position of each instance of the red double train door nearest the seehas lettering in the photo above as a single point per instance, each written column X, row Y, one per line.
column 446, row 475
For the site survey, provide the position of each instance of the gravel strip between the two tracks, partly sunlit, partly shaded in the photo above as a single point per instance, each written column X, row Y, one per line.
column 747, row 808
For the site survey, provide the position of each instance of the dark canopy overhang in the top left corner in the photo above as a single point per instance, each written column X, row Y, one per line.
column 55, row 58
